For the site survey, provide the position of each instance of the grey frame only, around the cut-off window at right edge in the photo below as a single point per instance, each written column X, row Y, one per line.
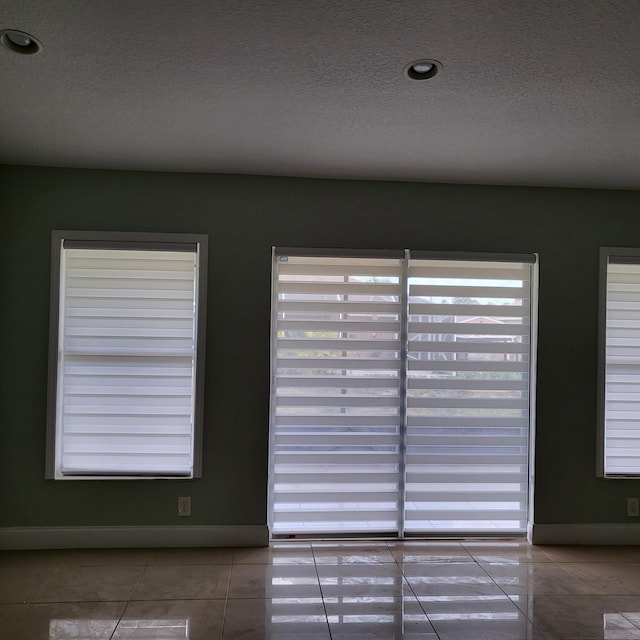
column 620, row 255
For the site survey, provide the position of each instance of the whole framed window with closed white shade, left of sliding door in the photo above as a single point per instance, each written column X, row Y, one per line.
column 126, row 355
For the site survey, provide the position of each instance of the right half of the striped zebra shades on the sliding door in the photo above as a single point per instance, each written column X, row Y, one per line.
column 468, row 396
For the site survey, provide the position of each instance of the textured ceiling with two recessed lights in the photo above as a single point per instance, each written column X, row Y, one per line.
column 530, row 93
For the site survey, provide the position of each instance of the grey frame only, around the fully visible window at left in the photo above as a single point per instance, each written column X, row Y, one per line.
column 126, row 240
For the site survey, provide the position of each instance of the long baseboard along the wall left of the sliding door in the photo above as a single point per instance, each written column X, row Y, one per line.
column 120, row 537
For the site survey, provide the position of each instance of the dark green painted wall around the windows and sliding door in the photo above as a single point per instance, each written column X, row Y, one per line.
column 244, row 216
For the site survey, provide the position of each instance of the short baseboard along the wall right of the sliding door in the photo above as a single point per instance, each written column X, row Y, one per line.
column 604, row 534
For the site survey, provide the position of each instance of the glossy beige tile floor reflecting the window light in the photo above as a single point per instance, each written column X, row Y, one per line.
column 433, row 590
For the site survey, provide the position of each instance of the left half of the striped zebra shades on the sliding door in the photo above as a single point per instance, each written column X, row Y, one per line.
column 335, row 431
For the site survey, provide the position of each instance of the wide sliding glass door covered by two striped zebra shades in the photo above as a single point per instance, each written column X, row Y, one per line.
column 400, row 396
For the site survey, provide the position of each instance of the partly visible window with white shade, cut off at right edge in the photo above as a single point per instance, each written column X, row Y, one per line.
column 619, row 364
